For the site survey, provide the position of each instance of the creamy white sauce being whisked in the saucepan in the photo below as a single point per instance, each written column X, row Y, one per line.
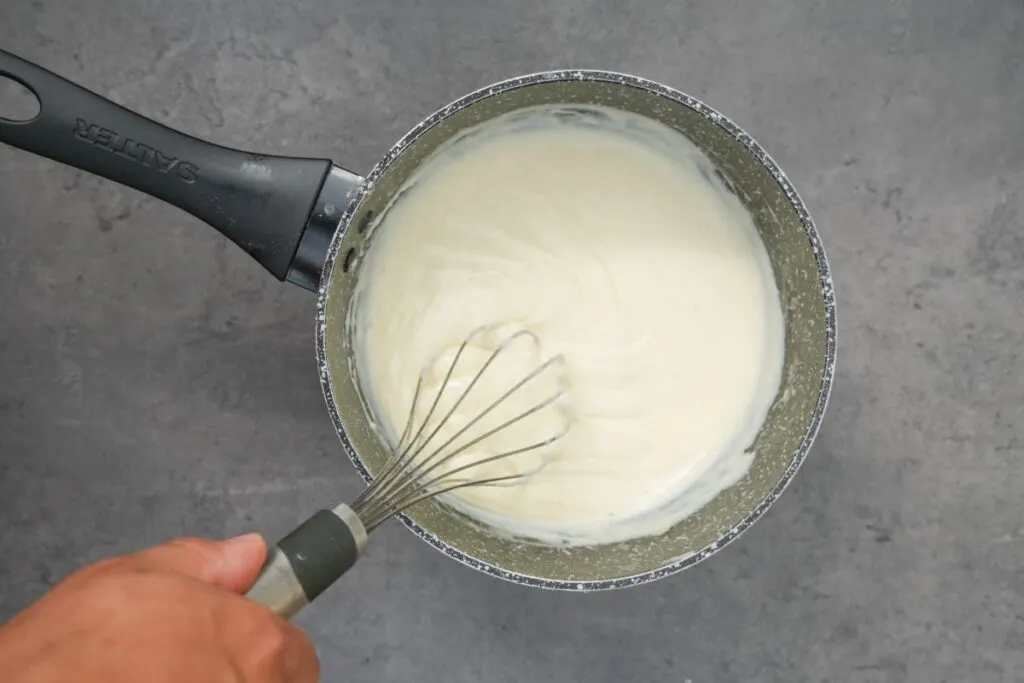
column 610, row 238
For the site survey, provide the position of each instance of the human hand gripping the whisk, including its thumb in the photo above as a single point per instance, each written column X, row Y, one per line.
column 172, row 614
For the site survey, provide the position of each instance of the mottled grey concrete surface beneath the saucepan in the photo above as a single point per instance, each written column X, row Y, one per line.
column 155, row 383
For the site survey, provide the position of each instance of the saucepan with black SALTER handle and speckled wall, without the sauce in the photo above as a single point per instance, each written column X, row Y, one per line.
column 309, row 223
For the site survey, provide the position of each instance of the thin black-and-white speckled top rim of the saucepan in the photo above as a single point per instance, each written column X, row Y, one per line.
column 825, row 278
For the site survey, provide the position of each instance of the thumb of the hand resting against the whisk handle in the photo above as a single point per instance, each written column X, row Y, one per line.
column 232, row 565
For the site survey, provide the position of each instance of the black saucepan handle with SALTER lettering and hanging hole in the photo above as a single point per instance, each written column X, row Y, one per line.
column 261, row 203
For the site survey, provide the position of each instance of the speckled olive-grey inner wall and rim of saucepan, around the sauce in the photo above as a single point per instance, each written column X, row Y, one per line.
column 803, row 282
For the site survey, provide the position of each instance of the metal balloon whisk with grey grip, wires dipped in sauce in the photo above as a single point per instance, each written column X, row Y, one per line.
column 436, row 455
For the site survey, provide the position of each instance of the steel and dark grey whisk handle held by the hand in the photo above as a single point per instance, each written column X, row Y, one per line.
column 307, row 562
